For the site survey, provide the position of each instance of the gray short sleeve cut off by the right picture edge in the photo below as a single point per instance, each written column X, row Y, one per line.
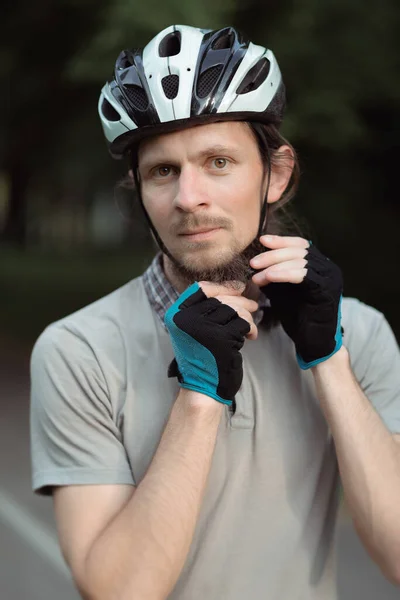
column 375, row 359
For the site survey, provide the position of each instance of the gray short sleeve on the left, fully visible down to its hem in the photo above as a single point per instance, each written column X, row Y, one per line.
column 75, row 437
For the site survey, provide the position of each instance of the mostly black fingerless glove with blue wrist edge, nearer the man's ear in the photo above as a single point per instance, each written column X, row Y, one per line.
column 310, row 311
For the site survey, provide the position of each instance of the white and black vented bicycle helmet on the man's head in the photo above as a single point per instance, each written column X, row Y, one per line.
column 185, row 76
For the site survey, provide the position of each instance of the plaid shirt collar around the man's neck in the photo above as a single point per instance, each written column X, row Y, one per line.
column 162, row 294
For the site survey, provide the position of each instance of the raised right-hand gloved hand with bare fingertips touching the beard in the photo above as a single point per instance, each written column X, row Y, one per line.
column 305, row 289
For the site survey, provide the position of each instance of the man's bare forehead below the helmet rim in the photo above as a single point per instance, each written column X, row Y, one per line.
column 233, row 134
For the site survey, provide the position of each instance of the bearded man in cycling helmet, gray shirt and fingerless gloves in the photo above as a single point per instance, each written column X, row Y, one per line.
column 191, row 426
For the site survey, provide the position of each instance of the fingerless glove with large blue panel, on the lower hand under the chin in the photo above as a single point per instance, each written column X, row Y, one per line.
column 207, row 337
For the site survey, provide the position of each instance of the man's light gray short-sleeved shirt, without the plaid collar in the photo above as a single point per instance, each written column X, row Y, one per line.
column 100, row 400
